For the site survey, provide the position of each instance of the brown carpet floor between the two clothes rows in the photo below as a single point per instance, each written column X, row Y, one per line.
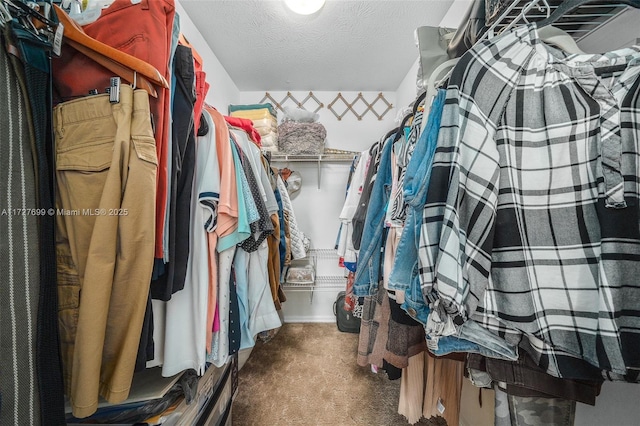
column 307, row 375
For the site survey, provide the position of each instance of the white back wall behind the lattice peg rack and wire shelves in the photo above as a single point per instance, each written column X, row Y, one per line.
column 316, row 209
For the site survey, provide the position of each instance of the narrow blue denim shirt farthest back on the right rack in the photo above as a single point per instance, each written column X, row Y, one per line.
column 368, row 272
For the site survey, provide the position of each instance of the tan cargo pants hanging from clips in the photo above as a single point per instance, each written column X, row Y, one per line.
column 106, row 178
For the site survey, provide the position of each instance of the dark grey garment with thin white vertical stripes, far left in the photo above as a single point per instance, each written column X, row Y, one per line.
column 19, row 257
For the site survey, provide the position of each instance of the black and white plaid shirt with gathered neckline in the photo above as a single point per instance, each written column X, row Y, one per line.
column 531, row 222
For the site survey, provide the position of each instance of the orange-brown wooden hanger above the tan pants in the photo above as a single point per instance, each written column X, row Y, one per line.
column 130, row 68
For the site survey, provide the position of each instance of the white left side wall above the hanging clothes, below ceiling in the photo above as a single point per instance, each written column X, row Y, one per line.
column 223, row 90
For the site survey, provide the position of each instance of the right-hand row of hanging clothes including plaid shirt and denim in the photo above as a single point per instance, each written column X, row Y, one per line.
column 505, row 230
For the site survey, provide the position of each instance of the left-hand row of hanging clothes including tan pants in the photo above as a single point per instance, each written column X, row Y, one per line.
column 170, row 227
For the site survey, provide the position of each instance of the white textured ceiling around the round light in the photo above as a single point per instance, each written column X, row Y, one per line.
column 347, row 45
